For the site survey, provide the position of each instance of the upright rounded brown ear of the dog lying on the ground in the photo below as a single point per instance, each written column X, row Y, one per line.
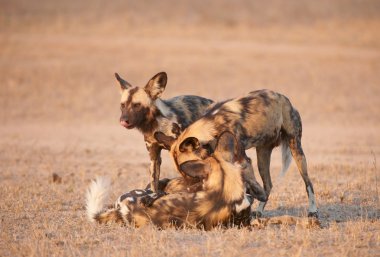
column 229, row 148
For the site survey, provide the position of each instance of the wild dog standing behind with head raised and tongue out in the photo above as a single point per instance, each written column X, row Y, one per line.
column 142, row 108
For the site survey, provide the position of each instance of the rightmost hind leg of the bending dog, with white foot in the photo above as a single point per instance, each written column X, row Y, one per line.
column 300, row 159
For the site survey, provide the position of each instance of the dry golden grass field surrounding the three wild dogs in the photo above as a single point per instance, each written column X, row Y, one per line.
column 59, row 111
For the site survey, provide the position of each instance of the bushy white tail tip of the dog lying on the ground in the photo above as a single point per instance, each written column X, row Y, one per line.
column 96, row 197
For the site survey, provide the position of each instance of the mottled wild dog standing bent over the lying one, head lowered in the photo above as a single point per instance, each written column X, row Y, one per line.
column 262, row 119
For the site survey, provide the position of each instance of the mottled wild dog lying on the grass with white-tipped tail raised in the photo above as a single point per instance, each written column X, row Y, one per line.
column 221, row 198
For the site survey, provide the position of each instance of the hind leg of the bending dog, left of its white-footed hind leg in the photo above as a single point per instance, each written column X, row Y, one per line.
column 263, row 163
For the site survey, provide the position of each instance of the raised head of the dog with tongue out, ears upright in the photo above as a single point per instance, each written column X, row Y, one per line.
column 137, row 104
